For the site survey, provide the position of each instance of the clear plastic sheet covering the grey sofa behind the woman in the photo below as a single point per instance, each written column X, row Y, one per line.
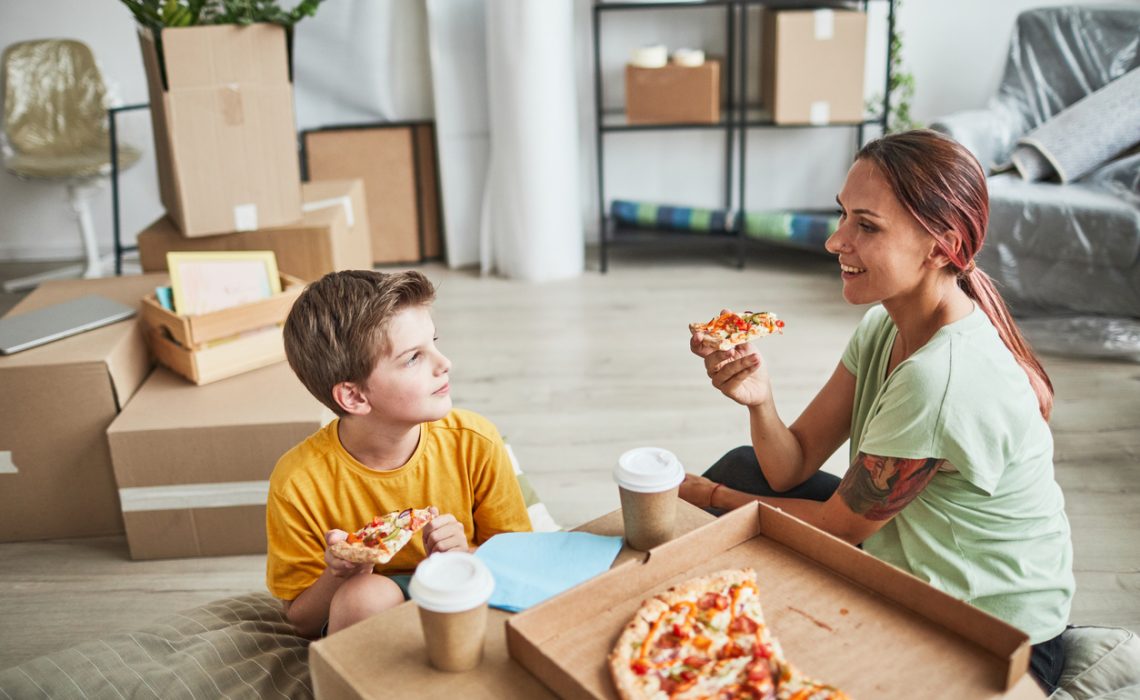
column 1066, row 258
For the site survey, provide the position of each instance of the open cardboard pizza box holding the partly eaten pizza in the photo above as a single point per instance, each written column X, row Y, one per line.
column 842, row 616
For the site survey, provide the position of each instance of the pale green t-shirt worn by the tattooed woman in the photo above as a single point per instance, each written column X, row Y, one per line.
column 992, row 530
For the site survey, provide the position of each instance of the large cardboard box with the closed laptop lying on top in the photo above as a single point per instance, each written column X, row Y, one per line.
column 59, row 401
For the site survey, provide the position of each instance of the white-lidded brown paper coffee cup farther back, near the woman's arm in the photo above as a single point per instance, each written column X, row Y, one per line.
column 648, row 482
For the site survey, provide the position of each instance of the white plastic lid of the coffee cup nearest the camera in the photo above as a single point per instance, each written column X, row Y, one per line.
column 452, row 582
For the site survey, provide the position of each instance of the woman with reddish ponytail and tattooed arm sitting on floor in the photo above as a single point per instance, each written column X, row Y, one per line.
column 944, row 403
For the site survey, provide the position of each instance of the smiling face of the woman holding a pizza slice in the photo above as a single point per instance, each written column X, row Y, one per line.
column 884, row 254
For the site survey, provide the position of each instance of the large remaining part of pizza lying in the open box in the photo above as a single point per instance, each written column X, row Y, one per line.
column 707, row 639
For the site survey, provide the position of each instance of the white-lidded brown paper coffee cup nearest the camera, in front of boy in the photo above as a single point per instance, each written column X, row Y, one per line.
column 452, row 590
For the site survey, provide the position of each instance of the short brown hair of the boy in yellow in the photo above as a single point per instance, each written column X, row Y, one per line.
column 337, row 331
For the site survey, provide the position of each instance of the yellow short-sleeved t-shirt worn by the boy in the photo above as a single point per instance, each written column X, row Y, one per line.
column 461, row 467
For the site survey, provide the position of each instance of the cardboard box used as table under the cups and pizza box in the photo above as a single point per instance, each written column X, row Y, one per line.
column 351, row 666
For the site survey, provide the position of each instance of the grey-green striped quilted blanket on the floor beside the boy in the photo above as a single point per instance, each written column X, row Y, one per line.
column 234, row 648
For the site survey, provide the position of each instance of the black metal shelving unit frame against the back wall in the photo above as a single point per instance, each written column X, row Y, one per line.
column 738, row 118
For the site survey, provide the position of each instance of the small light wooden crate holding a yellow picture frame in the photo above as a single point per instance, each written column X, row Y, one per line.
column 224, row 344
